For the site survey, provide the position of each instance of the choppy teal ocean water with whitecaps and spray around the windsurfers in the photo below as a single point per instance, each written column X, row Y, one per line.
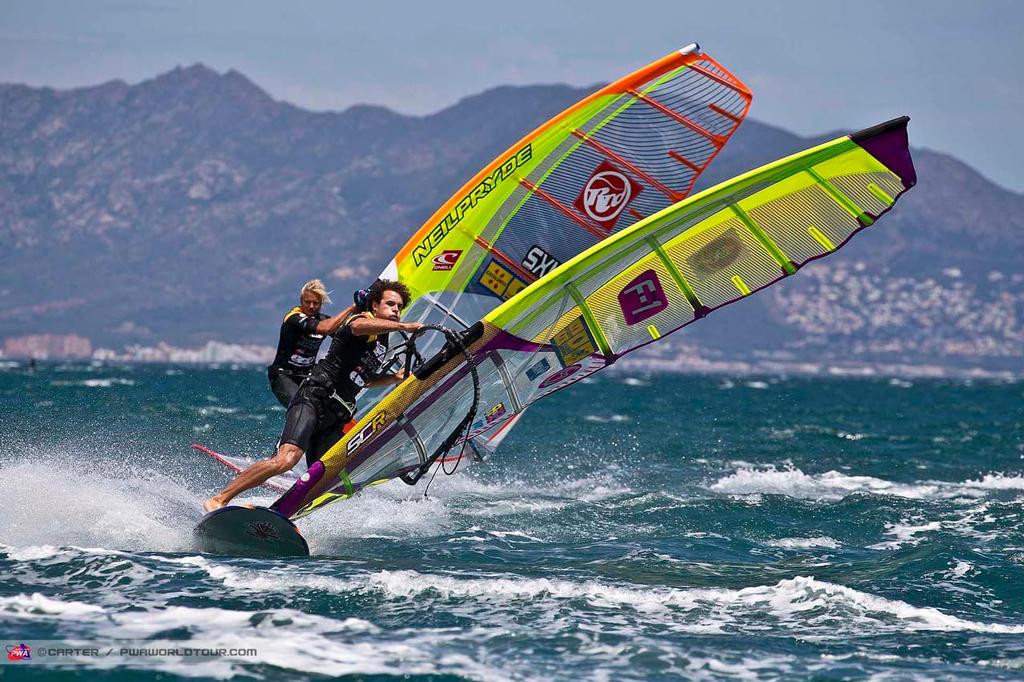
column 633, row 528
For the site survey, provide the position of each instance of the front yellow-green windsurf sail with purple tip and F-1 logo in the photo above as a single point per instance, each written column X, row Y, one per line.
column 656, row 277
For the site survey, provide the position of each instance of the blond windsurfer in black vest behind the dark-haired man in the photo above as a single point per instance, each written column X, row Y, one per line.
column 303, row 333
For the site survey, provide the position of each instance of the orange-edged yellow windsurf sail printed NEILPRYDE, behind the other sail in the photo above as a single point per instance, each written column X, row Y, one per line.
column 625, row 153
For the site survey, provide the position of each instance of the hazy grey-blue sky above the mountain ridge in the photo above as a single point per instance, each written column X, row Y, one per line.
column 814, row 66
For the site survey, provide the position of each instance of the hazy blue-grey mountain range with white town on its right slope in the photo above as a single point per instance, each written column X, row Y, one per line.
column 193, row 206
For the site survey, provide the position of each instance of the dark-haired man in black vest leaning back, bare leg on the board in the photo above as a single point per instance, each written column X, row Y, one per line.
column 326, row 401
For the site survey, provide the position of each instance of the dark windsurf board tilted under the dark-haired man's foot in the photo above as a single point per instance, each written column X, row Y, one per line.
column 254, row 532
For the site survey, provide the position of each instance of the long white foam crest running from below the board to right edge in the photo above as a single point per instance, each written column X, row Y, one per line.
column 802, row 603
